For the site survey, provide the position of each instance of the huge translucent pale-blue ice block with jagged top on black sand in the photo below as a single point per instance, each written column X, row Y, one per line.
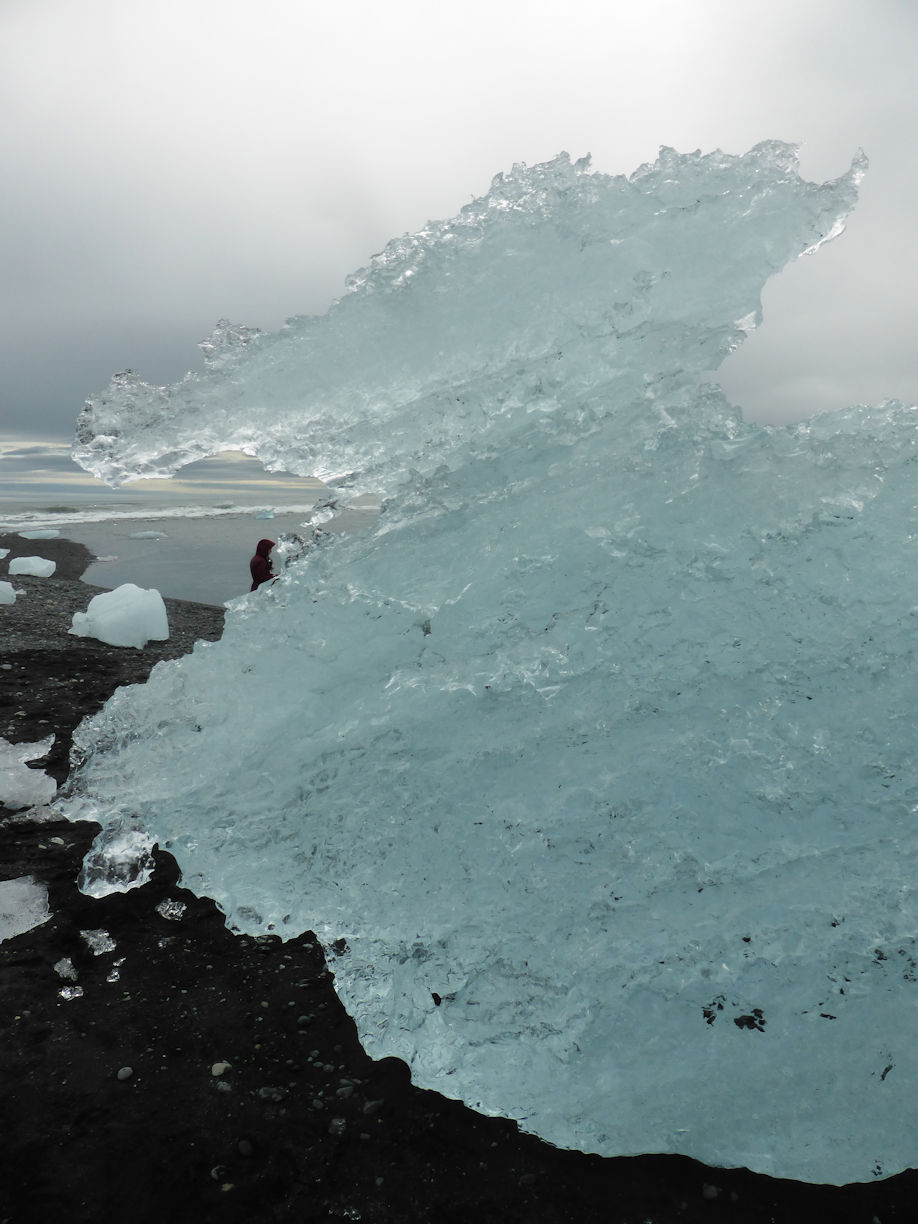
column 598, row 748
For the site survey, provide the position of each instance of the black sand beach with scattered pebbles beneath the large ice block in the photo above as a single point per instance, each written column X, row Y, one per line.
column 303, row 1127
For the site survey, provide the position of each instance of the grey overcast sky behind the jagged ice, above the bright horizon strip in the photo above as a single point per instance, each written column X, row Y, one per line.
column 167, row 163
